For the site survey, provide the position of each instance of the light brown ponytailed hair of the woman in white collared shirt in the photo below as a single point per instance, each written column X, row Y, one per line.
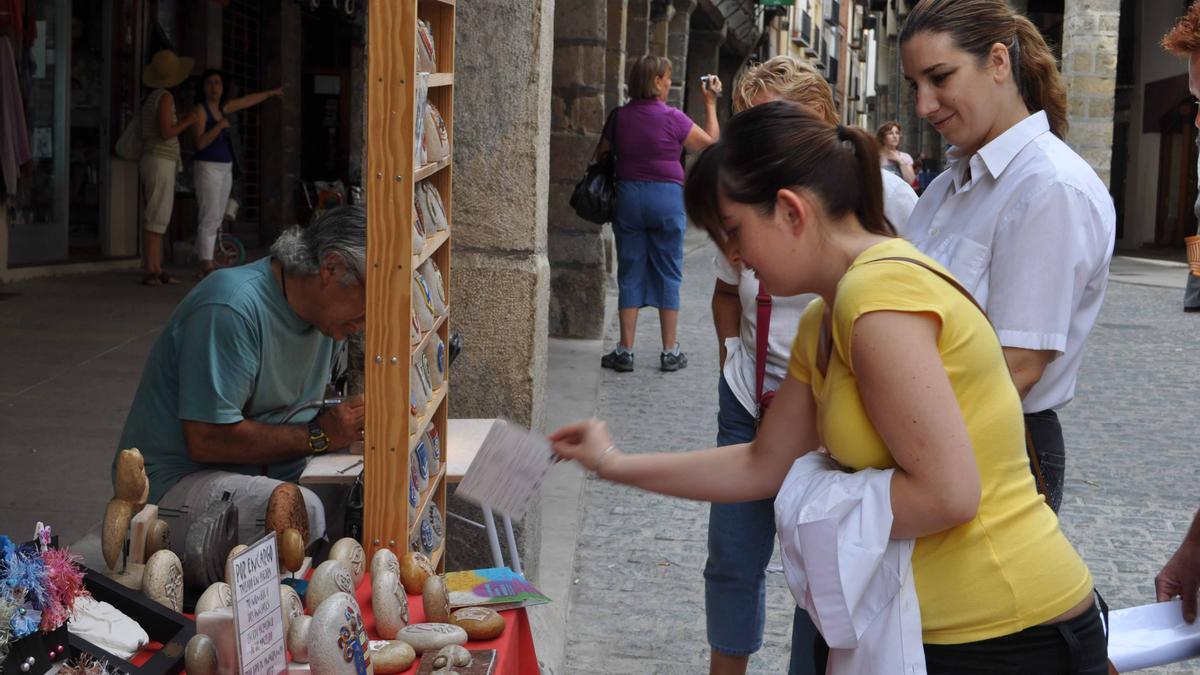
column 979, row 25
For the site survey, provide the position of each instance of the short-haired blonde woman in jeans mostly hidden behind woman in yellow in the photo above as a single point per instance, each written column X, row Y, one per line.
column 755, row 333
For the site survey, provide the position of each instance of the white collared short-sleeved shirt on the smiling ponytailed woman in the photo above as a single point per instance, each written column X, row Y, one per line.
column 1030, row 236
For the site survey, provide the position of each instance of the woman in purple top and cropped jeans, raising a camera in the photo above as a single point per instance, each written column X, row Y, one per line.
column 650, row 139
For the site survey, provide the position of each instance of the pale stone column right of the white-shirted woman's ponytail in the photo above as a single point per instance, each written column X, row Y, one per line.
column 1090, row 74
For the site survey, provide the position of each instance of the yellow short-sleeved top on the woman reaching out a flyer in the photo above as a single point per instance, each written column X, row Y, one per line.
column 1009, row 569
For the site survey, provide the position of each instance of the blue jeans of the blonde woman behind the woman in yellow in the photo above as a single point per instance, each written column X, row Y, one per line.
column 741, row 540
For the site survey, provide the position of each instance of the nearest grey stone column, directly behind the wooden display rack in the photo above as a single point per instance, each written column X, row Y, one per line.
column 500, row 278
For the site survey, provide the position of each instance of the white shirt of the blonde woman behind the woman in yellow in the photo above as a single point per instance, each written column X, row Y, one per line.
column 785, row 313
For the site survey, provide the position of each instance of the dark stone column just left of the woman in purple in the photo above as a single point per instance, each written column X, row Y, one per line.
column 578, row 117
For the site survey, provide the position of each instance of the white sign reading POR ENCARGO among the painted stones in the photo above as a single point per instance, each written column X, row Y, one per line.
column 257, row 610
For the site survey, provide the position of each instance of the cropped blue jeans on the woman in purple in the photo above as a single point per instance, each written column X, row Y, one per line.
column 649, row 228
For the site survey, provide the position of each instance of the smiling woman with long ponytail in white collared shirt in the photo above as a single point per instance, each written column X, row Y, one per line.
column 1019, row 218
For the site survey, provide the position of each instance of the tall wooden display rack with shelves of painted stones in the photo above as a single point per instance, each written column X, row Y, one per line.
column 392, row 176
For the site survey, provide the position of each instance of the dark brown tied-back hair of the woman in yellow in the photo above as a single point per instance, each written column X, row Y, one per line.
column 779, row 146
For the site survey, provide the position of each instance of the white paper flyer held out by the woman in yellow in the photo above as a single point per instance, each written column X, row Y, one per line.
column 508, row 471
